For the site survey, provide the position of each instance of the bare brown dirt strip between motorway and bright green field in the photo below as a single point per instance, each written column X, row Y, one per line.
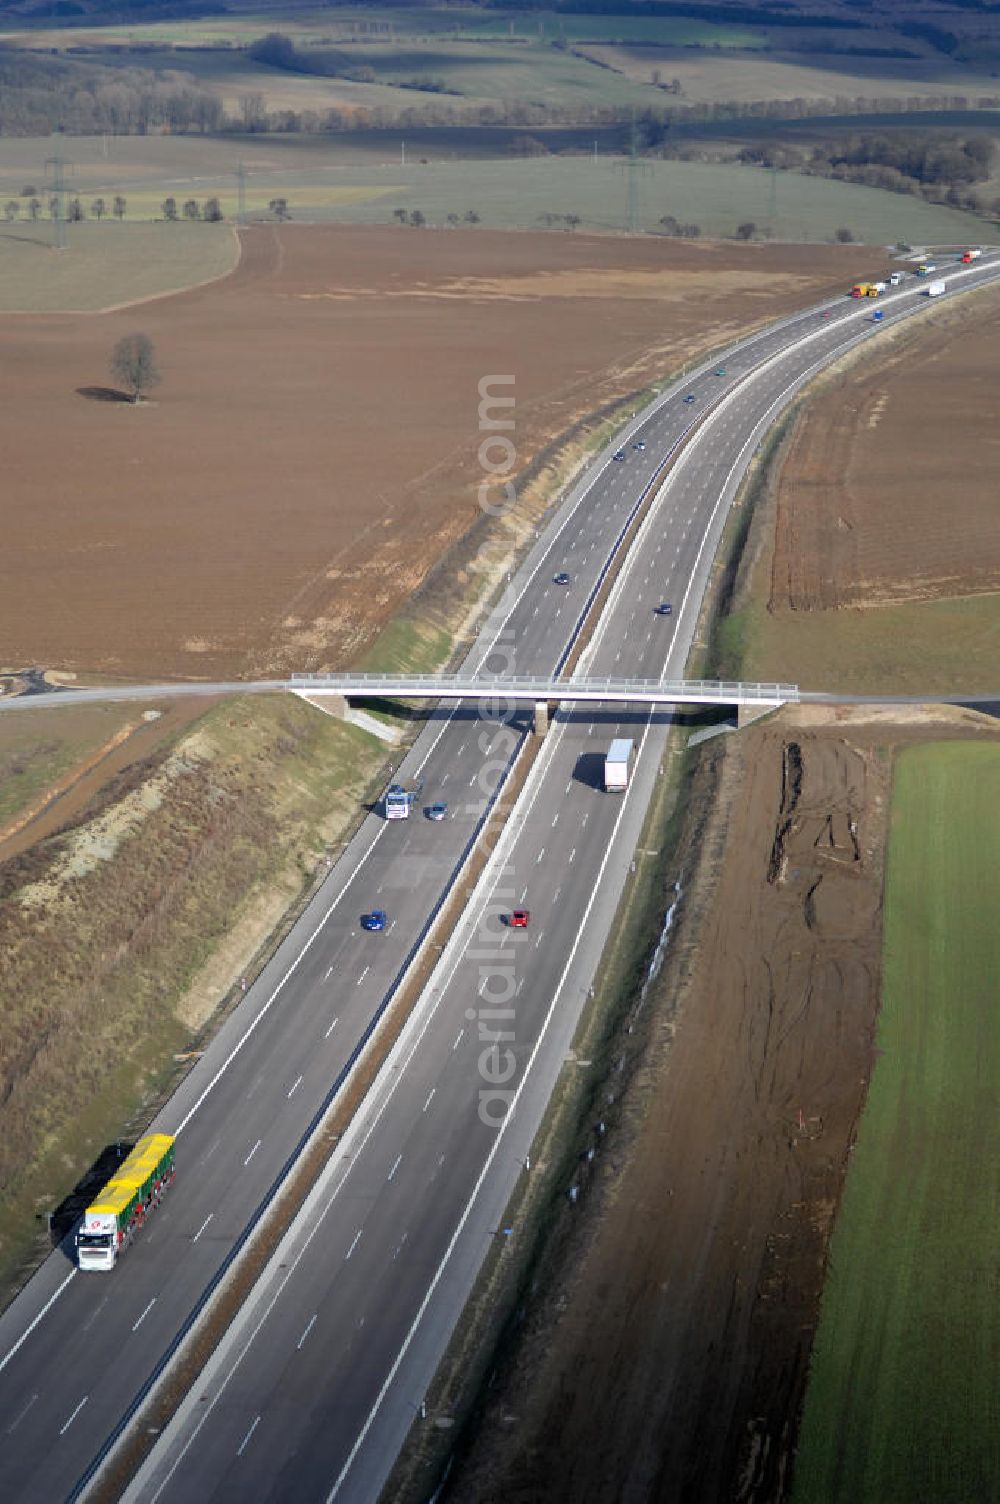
column 670, row 1356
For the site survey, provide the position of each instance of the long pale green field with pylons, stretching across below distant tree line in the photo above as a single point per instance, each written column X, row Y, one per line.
column 324, row 181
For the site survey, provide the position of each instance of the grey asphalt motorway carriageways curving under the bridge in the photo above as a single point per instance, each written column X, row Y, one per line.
column 320, row 1381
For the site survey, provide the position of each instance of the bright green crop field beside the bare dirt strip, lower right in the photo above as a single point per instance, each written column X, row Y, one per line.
column 902, row 1404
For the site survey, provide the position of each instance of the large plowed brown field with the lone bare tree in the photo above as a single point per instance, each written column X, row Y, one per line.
column 312, row 450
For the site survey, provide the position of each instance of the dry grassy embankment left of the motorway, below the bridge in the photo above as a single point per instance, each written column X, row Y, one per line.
column 121, row 936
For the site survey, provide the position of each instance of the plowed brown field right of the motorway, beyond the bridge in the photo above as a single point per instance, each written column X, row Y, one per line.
column 889, row 491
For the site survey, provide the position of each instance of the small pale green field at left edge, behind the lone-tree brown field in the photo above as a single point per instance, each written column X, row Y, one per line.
column 106, row 265
